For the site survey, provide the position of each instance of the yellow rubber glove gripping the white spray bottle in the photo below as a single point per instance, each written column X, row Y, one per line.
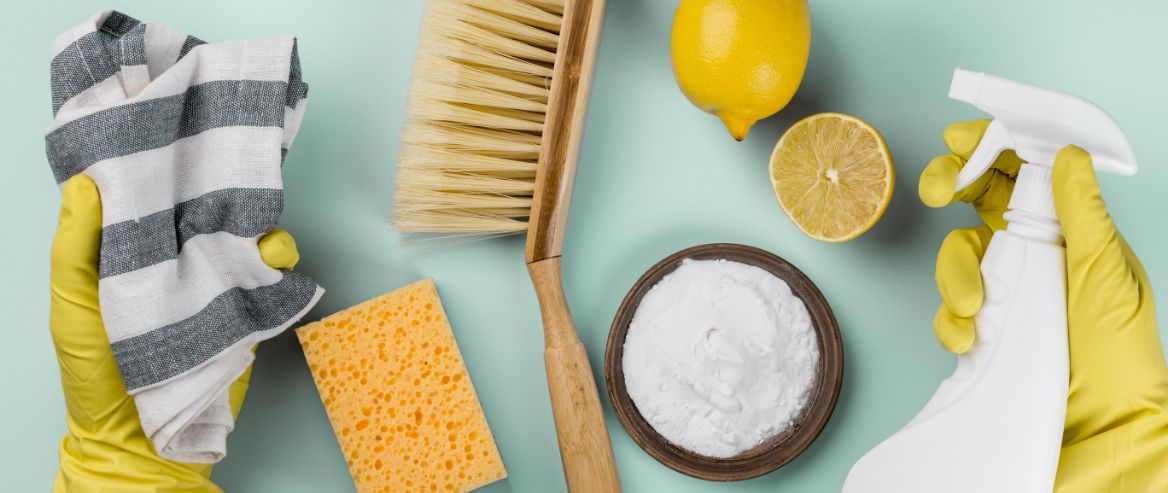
column 1116, row 434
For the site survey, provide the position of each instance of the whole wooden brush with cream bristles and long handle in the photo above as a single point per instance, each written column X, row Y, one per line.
column 495, row 128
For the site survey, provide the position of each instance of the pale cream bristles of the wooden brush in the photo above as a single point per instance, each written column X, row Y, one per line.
column 476, row 115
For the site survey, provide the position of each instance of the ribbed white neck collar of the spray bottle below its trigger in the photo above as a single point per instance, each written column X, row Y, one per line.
column 1032, row 206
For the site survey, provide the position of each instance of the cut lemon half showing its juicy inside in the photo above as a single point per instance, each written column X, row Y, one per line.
column 833, row 176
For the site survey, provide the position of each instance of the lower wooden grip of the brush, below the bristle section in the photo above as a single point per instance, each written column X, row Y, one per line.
column 585, row 447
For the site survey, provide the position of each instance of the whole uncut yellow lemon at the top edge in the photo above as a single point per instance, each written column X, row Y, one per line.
column 741, row 60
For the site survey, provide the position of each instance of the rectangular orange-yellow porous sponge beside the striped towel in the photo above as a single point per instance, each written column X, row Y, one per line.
column 399, row 395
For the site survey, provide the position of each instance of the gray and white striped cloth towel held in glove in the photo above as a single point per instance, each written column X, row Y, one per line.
column 185, row 142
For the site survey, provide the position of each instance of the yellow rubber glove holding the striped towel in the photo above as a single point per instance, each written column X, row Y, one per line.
column 106, row 449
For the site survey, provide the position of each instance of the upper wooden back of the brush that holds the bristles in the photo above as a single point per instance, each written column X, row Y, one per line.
column 564, row 129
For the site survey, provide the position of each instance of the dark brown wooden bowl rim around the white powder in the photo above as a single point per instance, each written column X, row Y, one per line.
column 781, row 449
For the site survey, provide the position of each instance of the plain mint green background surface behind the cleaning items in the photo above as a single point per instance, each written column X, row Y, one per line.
column 656, row 176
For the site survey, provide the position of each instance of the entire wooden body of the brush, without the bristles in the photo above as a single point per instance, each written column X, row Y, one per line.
column 585, row 447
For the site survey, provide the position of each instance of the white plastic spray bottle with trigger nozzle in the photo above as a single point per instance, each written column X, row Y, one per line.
column 997, row 423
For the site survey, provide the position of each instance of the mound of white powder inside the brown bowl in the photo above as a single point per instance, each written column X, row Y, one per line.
column 720, row 357
